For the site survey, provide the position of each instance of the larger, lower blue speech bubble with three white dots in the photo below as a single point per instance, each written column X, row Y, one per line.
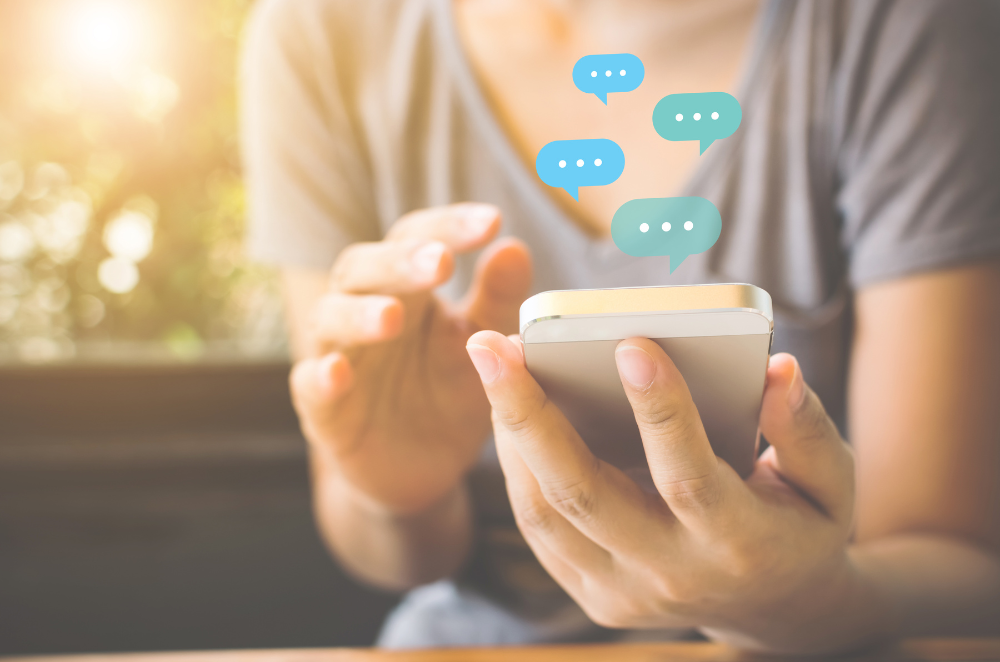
column 570, row 164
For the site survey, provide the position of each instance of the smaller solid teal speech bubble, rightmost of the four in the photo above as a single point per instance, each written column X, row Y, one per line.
column 702, row 116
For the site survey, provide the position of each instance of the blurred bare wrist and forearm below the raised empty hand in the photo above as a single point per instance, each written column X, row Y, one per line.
column 392, row 552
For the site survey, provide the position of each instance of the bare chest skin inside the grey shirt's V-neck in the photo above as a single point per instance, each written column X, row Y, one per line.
column 526, row 76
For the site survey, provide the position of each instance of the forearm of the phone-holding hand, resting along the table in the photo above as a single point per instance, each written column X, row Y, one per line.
column 886, row 589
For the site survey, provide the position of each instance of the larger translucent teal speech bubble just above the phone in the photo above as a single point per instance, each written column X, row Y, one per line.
column 677, row 227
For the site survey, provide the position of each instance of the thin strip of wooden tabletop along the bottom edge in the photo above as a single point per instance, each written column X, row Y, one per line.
column 926, row 650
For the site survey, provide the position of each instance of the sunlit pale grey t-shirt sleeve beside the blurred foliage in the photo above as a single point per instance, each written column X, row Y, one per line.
column 308, row 180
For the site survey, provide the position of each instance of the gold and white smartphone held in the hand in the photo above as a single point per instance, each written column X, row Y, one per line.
column 719, row 337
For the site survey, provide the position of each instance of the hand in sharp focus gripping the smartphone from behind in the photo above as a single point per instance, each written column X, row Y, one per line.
column 755, row 562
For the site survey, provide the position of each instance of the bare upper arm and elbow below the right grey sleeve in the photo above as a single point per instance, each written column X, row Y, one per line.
column 924, row 405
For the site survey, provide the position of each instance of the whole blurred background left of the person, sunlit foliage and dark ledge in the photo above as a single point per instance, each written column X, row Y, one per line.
column 153, row 486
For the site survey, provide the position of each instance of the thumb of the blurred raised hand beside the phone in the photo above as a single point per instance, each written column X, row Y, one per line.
column 500, row 285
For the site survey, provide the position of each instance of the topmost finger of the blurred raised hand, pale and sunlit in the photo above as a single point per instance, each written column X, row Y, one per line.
column 462, row 227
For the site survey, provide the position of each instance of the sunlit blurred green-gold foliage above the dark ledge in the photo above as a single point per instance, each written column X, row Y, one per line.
column 117, row 127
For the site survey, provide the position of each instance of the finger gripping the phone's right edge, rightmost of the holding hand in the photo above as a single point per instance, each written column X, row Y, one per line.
column 808, row 450
